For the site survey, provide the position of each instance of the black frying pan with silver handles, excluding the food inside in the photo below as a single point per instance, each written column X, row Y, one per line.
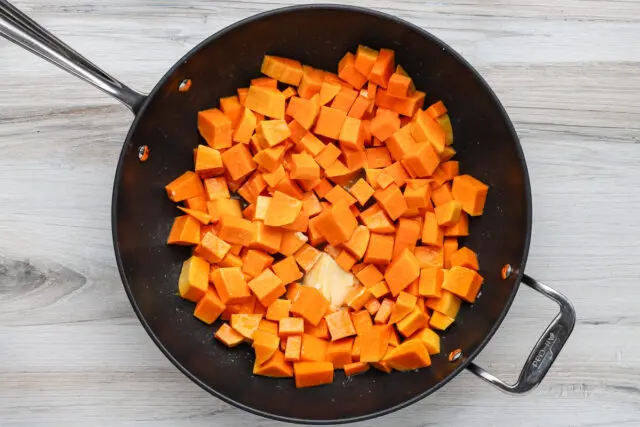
column 165, row 122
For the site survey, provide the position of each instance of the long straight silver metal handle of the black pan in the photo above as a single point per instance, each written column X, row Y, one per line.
column 23, row 31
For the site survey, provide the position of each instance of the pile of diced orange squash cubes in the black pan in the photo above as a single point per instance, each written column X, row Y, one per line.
column 304, row 161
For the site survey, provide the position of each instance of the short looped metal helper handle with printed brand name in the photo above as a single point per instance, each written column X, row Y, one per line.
column 546, row 349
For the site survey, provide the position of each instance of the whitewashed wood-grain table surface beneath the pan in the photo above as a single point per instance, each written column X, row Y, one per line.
column 72, row 351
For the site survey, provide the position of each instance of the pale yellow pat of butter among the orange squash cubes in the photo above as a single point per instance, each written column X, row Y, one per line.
column 330, row 279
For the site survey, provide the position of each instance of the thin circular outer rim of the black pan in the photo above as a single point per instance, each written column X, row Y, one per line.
column 250, row 20
